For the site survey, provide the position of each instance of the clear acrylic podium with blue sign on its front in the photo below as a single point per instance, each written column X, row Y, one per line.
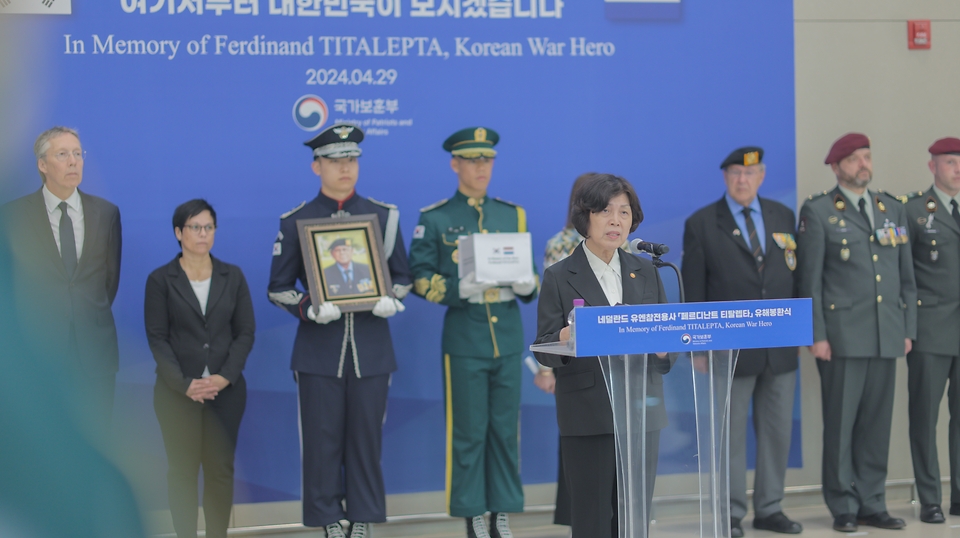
column 701, row 342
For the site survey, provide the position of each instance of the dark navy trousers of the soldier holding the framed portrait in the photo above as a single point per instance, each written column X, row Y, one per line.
column 341, row 424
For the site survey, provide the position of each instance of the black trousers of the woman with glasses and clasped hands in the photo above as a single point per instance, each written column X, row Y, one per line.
column 196, row 435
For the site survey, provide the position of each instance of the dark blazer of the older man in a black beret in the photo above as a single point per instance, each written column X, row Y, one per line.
column 719, row 266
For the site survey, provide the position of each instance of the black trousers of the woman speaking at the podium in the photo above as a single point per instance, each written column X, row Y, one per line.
column 590, row 469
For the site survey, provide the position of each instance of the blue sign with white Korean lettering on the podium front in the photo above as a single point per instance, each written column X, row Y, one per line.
column 692, row 327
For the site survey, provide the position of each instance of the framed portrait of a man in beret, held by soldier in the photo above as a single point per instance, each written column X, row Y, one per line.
column 344, row 261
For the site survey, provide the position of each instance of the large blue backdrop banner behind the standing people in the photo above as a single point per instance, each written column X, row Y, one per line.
column 179, row 99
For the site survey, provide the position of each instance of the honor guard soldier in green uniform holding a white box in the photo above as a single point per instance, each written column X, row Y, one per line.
column 482, row 340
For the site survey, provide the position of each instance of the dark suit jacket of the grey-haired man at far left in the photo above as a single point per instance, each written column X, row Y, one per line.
column 67, row 319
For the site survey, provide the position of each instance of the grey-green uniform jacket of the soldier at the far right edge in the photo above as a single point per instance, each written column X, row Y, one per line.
column 936, row 261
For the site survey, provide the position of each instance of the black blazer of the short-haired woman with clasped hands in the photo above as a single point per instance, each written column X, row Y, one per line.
column 184, row 340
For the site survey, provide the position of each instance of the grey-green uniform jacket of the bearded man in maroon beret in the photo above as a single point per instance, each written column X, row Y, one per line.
column 864, row 295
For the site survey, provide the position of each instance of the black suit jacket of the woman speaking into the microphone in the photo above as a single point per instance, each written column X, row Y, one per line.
column 583, row 406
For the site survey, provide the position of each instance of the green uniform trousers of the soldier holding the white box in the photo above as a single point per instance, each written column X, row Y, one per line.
column 482, row 402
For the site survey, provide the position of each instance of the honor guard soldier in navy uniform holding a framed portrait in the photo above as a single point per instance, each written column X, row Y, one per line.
column 342, row 362
